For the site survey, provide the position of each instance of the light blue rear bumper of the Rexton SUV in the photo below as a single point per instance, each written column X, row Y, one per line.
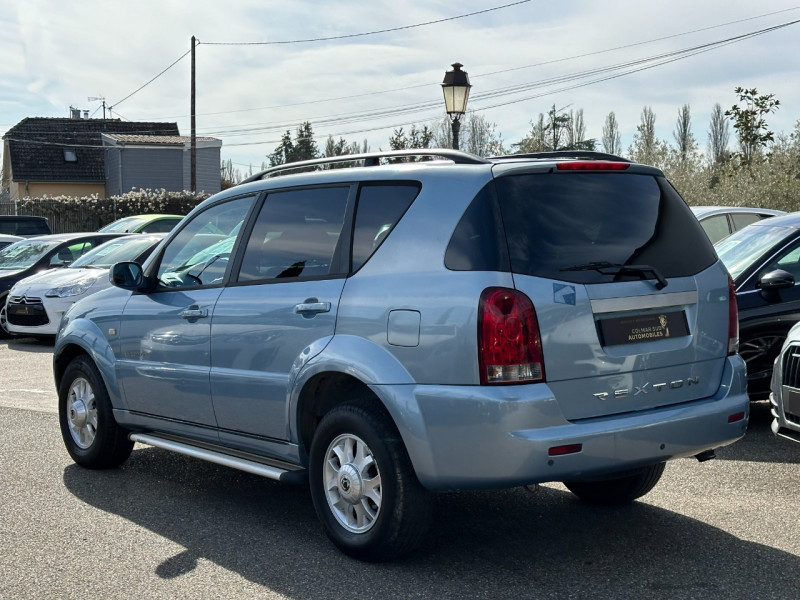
column 481, row 437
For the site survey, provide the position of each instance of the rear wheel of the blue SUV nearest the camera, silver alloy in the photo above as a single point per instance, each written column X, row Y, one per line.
column 363, row 485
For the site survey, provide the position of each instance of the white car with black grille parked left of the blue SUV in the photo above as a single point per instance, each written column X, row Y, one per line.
column 35, row 304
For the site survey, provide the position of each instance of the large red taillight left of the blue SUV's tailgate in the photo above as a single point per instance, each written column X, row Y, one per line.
column 509, row 344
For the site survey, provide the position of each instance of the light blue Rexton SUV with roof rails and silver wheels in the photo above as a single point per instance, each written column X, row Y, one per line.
column 385, row 331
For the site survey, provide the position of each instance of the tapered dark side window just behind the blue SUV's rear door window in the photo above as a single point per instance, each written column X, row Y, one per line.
column 380, row 207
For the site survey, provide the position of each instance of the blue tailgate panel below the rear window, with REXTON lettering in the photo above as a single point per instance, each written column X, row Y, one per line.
column 613, row 348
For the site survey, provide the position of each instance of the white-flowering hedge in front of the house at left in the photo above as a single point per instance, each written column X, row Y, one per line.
column 68, row 214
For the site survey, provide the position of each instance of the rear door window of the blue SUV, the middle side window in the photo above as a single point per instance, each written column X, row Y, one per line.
column 296, row 235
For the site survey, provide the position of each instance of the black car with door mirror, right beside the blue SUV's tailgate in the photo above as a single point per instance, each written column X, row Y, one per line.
column 764, row 261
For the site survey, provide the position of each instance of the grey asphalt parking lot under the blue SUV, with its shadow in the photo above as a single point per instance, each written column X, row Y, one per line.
column 167, row 526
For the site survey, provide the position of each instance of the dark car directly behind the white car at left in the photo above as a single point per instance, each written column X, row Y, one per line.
column 29, row 256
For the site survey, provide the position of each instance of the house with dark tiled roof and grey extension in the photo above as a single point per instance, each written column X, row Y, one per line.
column 80, row 157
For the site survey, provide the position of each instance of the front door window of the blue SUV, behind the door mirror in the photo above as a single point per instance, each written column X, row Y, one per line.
column 199, row 254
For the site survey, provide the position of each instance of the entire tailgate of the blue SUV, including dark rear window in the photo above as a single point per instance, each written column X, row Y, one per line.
column 631, row 299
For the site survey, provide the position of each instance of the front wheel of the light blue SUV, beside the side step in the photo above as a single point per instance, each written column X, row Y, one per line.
column 90, row 432
